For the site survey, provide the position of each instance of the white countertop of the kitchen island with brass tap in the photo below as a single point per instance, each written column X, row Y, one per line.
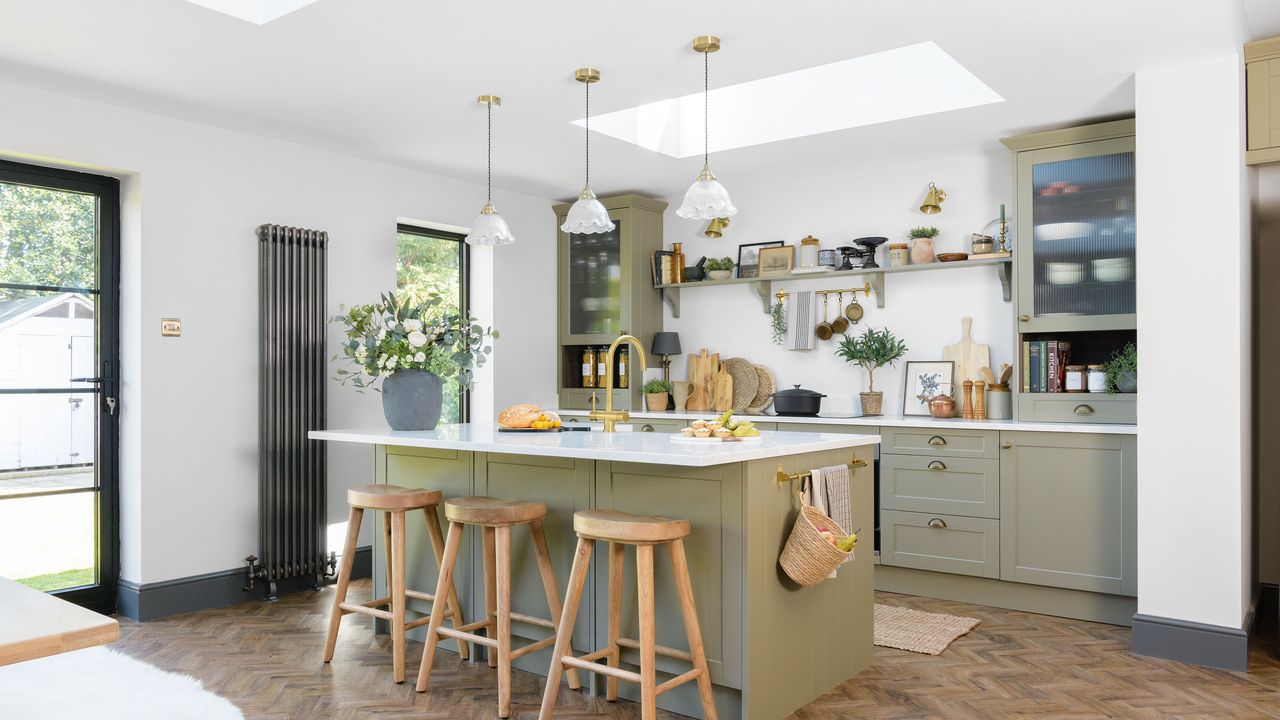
column 627, row 448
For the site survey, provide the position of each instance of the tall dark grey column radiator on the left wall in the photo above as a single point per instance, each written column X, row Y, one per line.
column 292, row 518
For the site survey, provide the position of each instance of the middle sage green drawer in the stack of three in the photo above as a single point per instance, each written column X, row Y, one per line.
column 953, row 486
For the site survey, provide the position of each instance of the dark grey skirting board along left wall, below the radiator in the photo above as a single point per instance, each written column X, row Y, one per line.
column 152, row 601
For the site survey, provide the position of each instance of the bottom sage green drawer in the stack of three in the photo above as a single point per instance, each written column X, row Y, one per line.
column 967, row 546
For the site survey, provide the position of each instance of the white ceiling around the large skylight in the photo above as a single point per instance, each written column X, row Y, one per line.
column 396, row 80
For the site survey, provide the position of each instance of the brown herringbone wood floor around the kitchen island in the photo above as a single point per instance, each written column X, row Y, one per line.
column 266, row 658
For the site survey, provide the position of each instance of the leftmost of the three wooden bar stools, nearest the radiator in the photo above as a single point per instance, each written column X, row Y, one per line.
column 394, row 502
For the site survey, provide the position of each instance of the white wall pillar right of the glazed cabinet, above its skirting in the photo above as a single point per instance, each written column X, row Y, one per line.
column 1195, row 441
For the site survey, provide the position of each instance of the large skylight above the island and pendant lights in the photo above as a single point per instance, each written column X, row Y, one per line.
column 908, row 83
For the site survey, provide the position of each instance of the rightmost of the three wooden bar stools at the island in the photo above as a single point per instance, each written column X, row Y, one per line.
column 621, row 530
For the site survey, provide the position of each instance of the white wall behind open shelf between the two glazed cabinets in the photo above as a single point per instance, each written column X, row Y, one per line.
column 925, row 309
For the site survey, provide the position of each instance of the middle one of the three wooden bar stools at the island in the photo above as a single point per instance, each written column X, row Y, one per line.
column 496, row 517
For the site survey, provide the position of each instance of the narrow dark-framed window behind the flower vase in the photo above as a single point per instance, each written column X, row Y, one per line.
column 436, row 261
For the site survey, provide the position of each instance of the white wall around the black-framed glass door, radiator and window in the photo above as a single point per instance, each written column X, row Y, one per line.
column 193, row 198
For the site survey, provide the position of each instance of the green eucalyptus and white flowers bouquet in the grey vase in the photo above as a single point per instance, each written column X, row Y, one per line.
column 406, row 334
